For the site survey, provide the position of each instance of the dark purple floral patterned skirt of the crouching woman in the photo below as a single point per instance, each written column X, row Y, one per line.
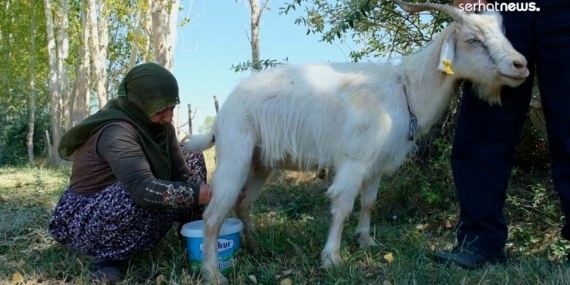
column 110, row 225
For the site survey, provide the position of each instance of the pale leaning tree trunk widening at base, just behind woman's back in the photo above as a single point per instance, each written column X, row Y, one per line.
column 81, row 94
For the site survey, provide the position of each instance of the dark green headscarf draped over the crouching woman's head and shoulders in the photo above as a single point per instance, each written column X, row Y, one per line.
column 146, row 89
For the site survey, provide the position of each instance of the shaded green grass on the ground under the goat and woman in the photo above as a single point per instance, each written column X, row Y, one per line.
column 415, row 215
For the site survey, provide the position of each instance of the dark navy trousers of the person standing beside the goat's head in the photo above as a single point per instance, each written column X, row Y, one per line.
column 486, row 137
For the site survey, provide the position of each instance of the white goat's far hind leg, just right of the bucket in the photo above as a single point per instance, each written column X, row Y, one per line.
column 243, row 210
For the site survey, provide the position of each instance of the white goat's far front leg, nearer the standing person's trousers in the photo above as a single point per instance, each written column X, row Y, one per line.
column 368, row 195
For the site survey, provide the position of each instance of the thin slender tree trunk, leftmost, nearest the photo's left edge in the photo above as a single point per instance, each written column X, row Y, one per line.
column 31, row 100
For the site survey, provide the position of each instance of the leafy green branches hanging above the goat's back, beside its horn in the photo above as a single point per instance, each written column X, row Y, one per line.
column 377, row 25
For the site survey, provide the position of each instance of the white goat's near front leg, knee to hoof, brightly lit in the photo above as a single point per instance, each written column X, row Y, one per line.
column 342, row 192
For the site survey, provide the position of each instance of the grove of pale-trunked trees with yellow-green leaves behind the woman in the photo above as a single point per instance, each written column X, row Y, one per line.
column 24, row 81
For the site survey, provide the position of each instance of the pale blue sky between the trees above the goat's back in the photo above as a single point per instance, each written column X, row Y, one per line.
column 215, row 39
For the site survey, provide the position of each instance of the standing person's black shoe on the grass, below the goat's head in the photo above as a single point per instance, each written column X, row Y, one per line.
column 470, row 257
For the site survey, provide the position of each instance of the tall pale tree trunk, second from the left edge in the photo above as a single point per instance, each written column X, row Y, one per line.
column 53, row 83
